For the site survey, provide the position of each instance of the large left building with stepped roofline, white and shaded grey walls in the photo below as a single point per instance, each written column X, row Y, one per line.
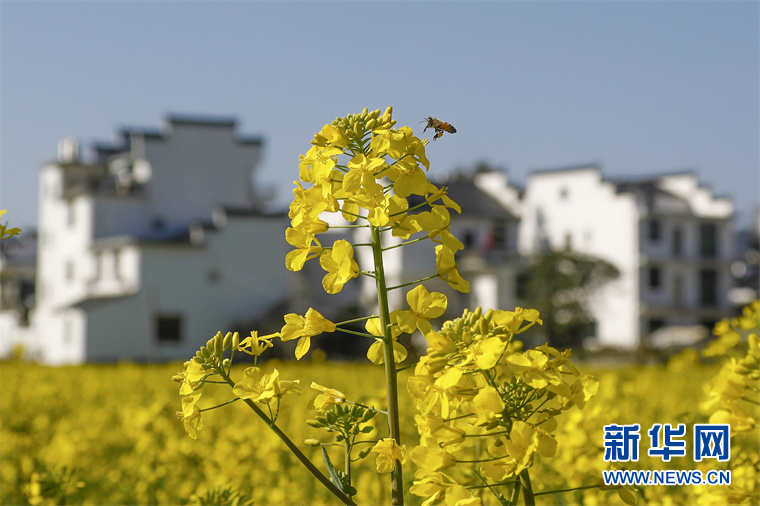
column 148, row 250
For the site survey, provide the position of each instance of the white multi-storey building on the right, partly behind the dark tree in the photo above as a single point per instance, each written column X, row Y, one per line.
column 669, row 237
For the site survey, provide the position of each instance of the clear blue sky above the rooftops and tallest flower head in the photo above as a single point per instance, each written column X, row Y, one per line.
column 638, row 88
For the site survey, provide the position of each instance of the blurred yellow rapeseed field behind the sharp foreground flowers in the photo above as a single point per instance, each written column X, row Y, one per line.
column 108, row 434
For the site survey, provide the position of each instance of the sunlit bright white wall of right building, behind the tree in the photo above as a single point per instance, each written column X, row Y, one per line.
column 579, row 207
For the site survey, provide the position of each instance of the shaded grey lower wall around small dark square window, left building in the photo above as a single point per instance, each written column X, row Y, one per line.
column 236, row 275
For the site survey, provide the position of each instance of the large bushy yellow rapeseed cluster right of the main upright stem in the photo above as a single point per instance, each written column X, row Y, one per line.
column 486, row 405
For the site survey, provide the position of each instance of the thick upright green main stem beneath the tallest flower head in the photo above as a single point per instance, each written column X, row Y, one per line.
column 391, row 380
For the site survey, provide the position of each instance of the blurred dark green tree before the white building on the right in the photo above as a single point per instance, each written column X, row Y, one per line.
column 559, row 284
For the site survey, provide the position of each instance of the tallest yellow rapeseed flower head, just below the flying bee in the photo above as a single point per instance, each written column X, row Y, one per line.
column 361, row 167
